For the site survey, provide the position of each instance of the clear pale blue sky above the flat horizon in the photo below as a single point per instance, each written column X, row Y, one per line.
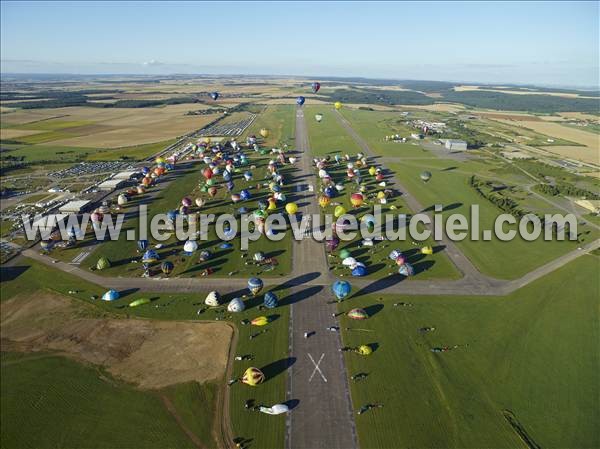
column 544, row 43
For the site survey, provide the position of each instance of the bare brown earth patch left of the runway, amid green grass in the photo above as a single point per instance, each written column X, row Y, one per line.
column 141, row 352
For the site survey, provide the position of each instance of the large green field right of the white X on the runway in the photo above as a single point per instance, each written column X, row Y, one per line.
column 534, row 352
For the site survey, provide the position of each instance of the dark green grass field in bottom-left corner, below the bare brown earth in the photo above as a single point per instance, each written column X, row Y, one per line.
column 51, row 401
